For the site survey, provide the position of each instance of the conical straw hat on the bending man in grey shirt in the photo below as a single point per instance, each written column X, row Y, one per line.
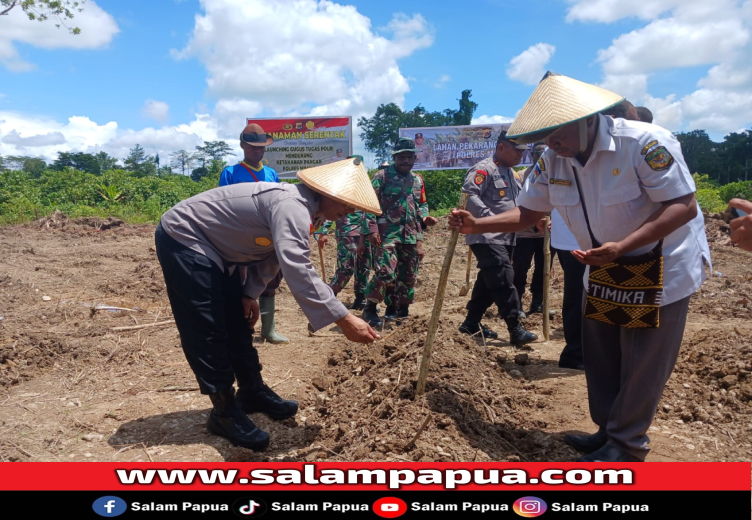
column 346, row 181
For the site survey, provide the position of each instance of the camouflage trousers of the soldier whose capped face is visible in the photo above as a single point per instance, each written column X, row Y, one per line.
column 395, row 273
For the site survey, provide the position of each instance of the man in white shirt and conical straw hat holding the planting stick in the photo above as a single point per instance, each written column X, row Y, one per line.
column 626, row 194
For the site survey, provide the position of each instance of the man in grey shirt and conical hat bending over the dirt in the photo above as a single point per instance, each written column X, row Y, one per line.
column 218, row 251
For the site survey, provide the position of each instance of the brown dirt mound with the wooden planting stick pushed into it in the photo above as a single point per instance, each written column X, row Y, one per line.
column 477, row 403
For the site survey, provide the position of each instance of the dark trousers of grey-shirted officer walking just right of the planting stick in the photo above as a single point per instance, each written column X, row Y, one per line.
column 495, row 284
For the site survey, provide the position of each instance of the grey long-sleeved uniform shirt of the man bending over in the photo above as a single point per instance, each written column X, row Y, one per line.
column 264, row 226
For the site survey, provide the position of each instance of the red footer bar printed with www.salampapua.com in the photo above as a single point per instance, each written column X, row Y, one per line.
column 369, row 476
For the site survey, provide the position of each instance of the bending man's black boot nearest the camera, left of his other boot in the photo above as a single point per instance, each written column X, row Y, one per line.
column 227, row 420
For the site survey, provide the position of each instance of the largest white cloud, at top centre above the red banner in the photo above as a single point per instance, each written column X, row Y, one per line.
column 305, row 56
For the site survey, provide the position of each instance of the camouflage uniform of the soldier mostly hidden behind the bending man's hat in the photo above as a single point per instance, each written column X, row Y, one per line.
column 348, row 232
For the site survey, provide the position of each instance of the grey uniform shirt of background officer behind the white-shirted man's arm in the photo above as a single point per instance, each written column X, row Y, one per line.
column 491, row 191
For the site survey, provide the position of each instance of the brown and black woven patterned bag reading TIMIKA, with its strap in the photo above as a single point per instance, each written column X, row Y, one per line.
column 626, row 292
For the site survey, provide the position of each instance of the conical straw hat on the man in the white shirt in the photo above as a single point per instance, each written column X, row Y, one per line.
column 557, row 101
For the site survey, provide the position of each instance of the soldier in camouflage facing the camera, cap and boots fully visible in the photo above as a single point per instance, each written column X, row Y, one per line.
column 397, row 234
